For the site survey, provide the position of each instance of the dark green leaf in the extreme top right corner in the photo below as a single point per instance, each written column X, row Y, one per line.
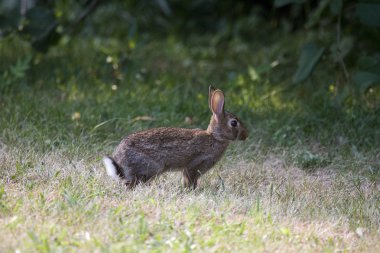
column 368, row 13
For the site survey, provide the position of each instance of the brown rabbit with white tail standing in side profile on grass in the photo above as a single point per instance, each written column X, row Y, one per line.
column 143, row 155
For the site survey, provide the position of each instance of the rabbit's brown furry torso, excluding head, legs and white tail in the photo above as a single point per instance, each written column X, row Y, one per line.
column 153, row 151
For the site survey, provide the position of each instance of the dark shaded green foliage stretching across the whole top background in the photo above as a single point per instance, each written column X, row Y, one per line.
column 339, row 27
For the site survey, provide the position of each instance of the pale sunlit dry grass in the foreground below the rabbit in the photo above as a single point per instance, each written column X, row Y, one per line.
column 54, row 204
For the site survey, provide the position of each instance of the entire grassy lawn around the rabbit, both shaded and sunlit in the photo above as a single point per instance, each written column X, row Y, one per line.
column 307, row 180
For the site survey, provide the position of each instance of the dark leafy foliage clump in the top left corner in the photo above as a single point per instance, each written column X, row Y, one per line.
column 42, row 23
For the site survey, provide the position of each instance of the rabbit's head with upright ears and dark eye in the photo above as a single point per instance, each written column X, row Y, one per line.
column 224, row 126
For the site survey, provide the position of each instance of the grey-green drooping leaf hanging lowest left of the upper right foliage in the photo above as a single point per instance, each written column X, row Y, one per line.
column 308, row 60
